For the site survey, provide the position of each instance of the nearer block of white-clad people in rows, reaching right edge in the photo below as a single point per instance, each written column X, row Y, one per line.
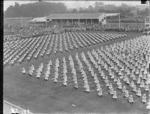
column 119, row 67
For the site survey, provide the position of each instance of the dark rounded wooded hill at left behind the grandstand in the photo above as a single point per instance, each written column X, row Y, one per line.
column 37, row 9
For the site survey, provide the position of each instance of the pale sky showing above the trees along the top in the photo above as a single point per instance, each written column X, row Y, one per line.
column 73, row 4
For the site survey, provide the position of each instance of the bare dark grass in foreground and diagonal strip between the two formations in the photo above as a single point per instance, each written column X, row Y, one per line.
column 40, row 96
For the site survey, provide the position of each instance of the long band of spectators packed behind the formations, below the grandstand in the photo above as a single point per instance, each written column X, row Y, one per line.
column 32, row 30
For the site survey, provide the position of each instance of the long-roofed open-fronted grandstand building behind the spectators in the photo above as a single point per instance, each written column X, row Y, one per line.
column 80, row 17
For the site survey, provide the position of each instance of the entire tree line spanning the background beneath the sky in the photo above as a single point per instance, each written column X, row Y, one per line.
column 40, row 9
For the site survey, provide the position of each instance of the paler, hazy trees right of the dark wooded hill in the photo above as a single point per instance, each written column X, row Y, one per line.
column 123, row 9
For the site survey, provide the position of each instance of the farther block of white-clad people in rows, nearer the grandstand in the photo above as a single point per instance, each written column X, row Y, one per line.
column 18, row 51
